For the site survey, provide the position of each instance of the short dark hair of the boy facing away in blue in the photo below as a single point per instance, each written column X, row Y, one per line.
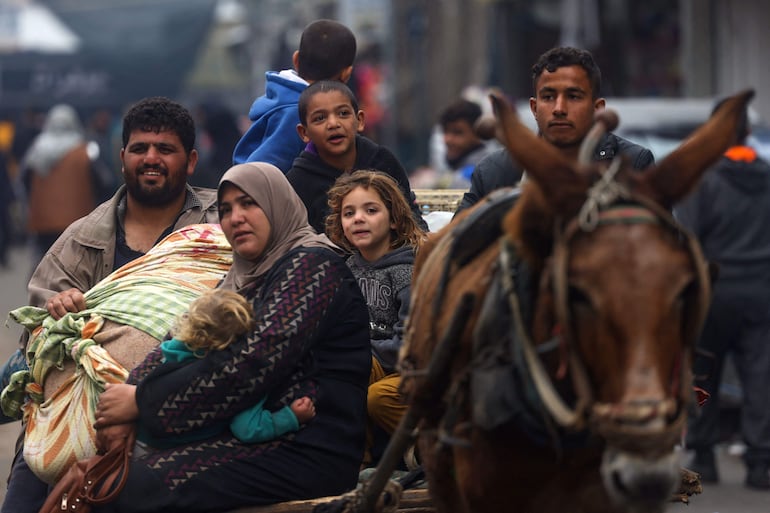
column 326, row 48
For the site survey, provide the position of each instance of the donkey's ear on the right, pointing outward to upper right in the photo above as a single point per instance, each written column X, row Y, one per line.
column 678, row 173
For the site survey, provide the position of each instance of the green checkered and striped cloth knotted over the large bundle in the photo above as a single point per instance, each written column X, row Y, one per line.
column 148, row 294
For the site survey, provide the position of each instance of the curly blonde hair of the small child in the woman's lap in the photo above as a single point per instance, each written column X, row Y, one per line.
column 214, row 320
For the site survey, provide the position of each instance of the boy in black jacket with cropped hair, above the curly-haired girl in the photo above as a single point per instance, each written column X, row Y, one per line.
column 330, row 122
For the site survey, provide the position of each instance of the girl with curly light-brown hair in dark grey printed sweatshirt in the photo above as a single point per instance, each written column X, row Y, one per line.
column 371, row 218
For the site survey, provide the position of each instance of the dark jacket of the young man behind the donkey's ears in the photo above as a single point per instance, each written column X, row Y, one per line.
column 498, row 170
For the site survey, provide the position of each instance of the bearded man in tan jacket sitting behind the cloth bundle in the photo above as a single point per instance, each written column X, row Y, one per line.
column 158, row 156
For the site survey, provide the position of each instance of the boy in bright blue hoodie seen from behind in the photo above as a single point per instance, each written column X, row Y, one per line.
column 326, row 51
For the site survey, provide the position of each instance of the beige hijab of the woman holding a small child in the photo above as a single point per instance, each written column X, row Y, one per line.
column 287, row 215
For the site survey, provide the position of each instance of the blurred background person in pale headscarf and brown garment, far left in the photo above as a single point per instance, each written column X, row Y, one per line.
column 56, row 173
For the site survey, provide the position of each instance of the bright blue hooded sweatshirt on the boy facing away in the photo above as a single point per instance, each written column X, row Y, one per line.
column 273, row 136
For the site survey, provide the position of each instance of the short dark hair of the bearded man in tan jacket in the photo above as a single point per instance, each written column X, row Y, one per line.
column 159, row 114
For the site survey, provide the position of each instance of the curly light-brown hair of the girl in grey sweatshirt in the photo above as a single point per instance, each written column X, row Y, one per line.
column 406, row 233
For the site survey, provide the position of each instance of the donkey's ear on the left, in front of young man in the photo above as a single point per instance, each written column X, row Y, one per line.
column 562, row 186
